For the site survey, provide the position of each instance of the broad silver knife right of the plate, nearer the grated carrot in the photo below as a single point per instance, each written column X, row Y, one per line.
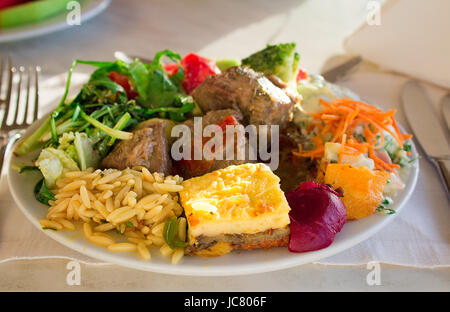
column 427, row 129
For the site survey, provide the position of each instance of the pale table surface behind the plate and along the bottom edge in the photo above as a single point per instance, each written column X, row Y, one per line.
column 216, row 29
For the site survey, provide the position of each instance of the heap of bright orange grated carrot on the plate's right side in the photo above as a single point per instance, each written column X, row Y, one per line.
column 340, row 118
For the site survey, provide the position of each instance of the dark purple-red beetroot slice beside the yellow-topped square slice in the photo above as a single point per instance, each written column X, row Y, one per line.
column 317, row 215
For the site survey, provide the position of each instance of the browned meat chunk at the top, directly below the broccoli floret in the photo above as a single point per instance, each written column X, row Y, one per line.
column 260, row 101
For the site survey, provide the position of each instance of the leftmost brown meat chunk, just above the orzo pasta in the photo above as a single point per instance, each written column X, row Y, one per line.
column 148, row 148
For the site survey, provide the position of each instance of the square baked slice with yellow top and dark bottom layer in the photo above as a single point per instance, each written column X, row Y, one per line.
column 239, row 207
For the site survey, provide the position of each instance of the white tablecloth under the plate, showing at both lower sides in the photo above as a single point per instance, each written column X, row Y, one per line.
column 419, row 235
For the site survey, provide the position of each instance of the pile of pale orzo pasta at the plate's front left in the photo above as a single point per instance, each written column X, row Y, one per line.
column 132, row 202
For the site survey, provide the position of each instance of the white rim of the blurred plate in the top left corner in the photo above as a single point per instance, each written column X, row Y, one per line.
column 89, row 9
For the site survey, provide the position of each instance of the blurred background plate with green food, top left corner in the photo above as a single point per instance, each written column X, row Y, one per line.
column 37, row 18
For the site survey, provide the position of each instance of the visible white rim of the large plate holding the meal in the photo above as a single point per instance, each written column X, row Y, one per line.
column 235, row 263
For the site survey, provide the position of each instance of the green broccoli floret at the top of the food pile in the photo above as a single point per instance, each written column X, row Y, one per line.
column 280, row 60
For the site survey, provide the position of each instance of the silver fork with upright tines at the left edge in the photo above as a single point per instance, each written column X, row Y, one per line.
column 11, row 131
